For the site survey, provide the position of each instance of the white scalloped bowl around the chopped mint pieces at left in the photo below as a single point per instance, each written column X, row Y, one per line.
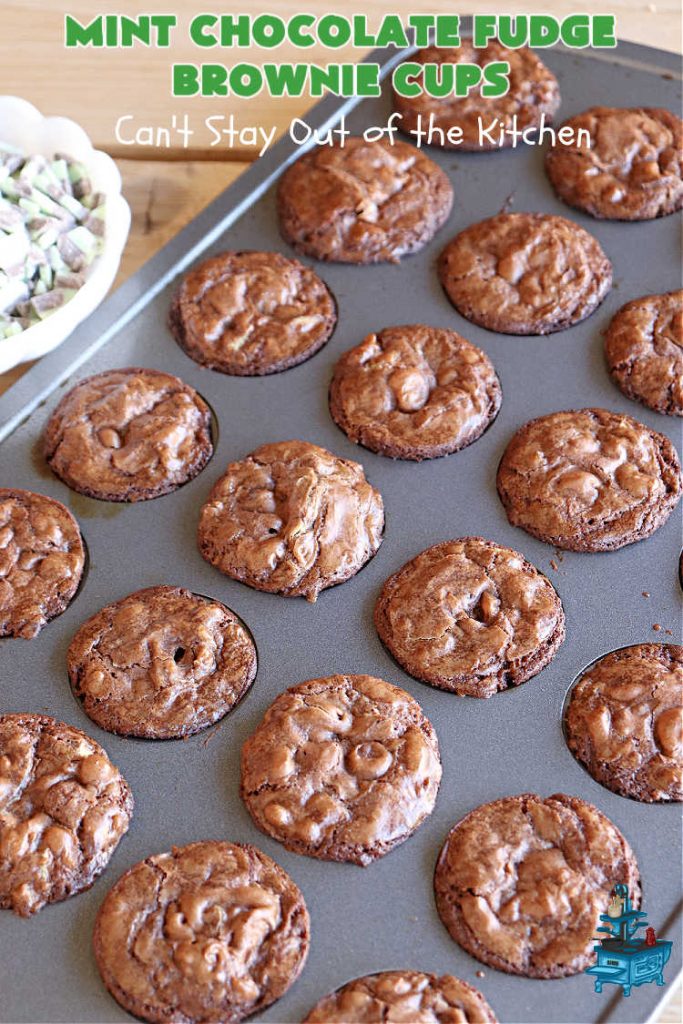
column 25, row 127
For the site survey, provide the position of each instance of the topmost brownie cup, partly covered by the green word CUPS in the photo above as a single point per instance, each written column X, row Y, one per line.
column 534, row 92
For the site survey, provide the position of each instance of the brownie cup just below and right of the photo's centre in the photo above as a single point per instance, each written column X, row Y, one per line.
column 471, row 617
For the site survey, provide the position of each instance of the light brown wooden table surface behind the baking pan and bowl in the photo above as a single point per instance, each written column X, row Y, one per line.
column 165, row 194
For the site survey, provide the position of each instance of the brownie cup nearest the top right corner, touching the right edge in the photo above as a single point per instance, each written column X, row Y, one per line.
column 631, row 170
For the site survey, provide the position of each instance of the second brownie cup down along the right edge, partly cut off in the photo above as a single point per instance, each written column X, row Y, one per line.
column 645, row 351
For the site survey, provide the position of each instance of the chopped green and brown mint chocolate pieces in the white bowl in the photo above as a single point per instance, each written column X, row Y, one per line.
column 52, row 230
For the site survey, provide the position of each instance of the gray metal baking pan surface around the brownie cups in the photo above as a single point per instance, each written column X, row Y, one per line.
column 382, row 917
